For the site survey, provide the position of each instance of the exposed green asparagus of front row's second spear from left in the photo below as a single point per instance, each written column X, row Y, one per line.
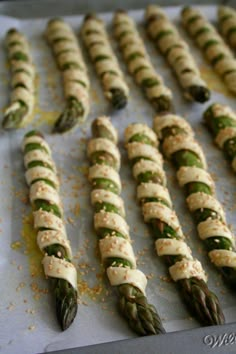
column 141, row 316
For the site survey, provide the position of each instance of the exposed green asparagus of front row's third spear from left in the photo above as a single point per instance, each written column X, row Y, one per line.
column 202, row 303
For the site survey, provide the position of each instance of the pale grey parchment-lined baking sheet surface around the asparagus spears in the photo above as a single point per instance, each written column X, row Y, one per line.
column 27, row 314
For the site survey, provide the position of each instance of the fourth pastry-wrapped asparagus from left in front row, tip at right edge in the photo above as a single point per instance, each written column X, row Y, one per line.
column 179, row 145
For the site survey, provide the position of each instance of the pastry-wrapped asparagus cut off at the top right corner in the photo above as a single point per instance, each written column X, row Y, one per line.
column 227, row 24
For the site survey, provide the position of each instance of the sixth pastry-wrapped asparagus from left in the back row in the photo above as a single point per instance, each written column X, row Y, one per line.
column 212, row 45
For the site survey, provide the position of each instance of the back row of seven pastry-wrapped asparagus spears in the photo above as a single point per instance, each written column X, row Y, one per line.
column 67, row 52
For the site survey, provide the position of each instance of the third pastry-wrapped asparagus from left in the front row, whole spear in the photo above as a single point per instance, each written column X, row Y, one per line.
column 152, row 194
